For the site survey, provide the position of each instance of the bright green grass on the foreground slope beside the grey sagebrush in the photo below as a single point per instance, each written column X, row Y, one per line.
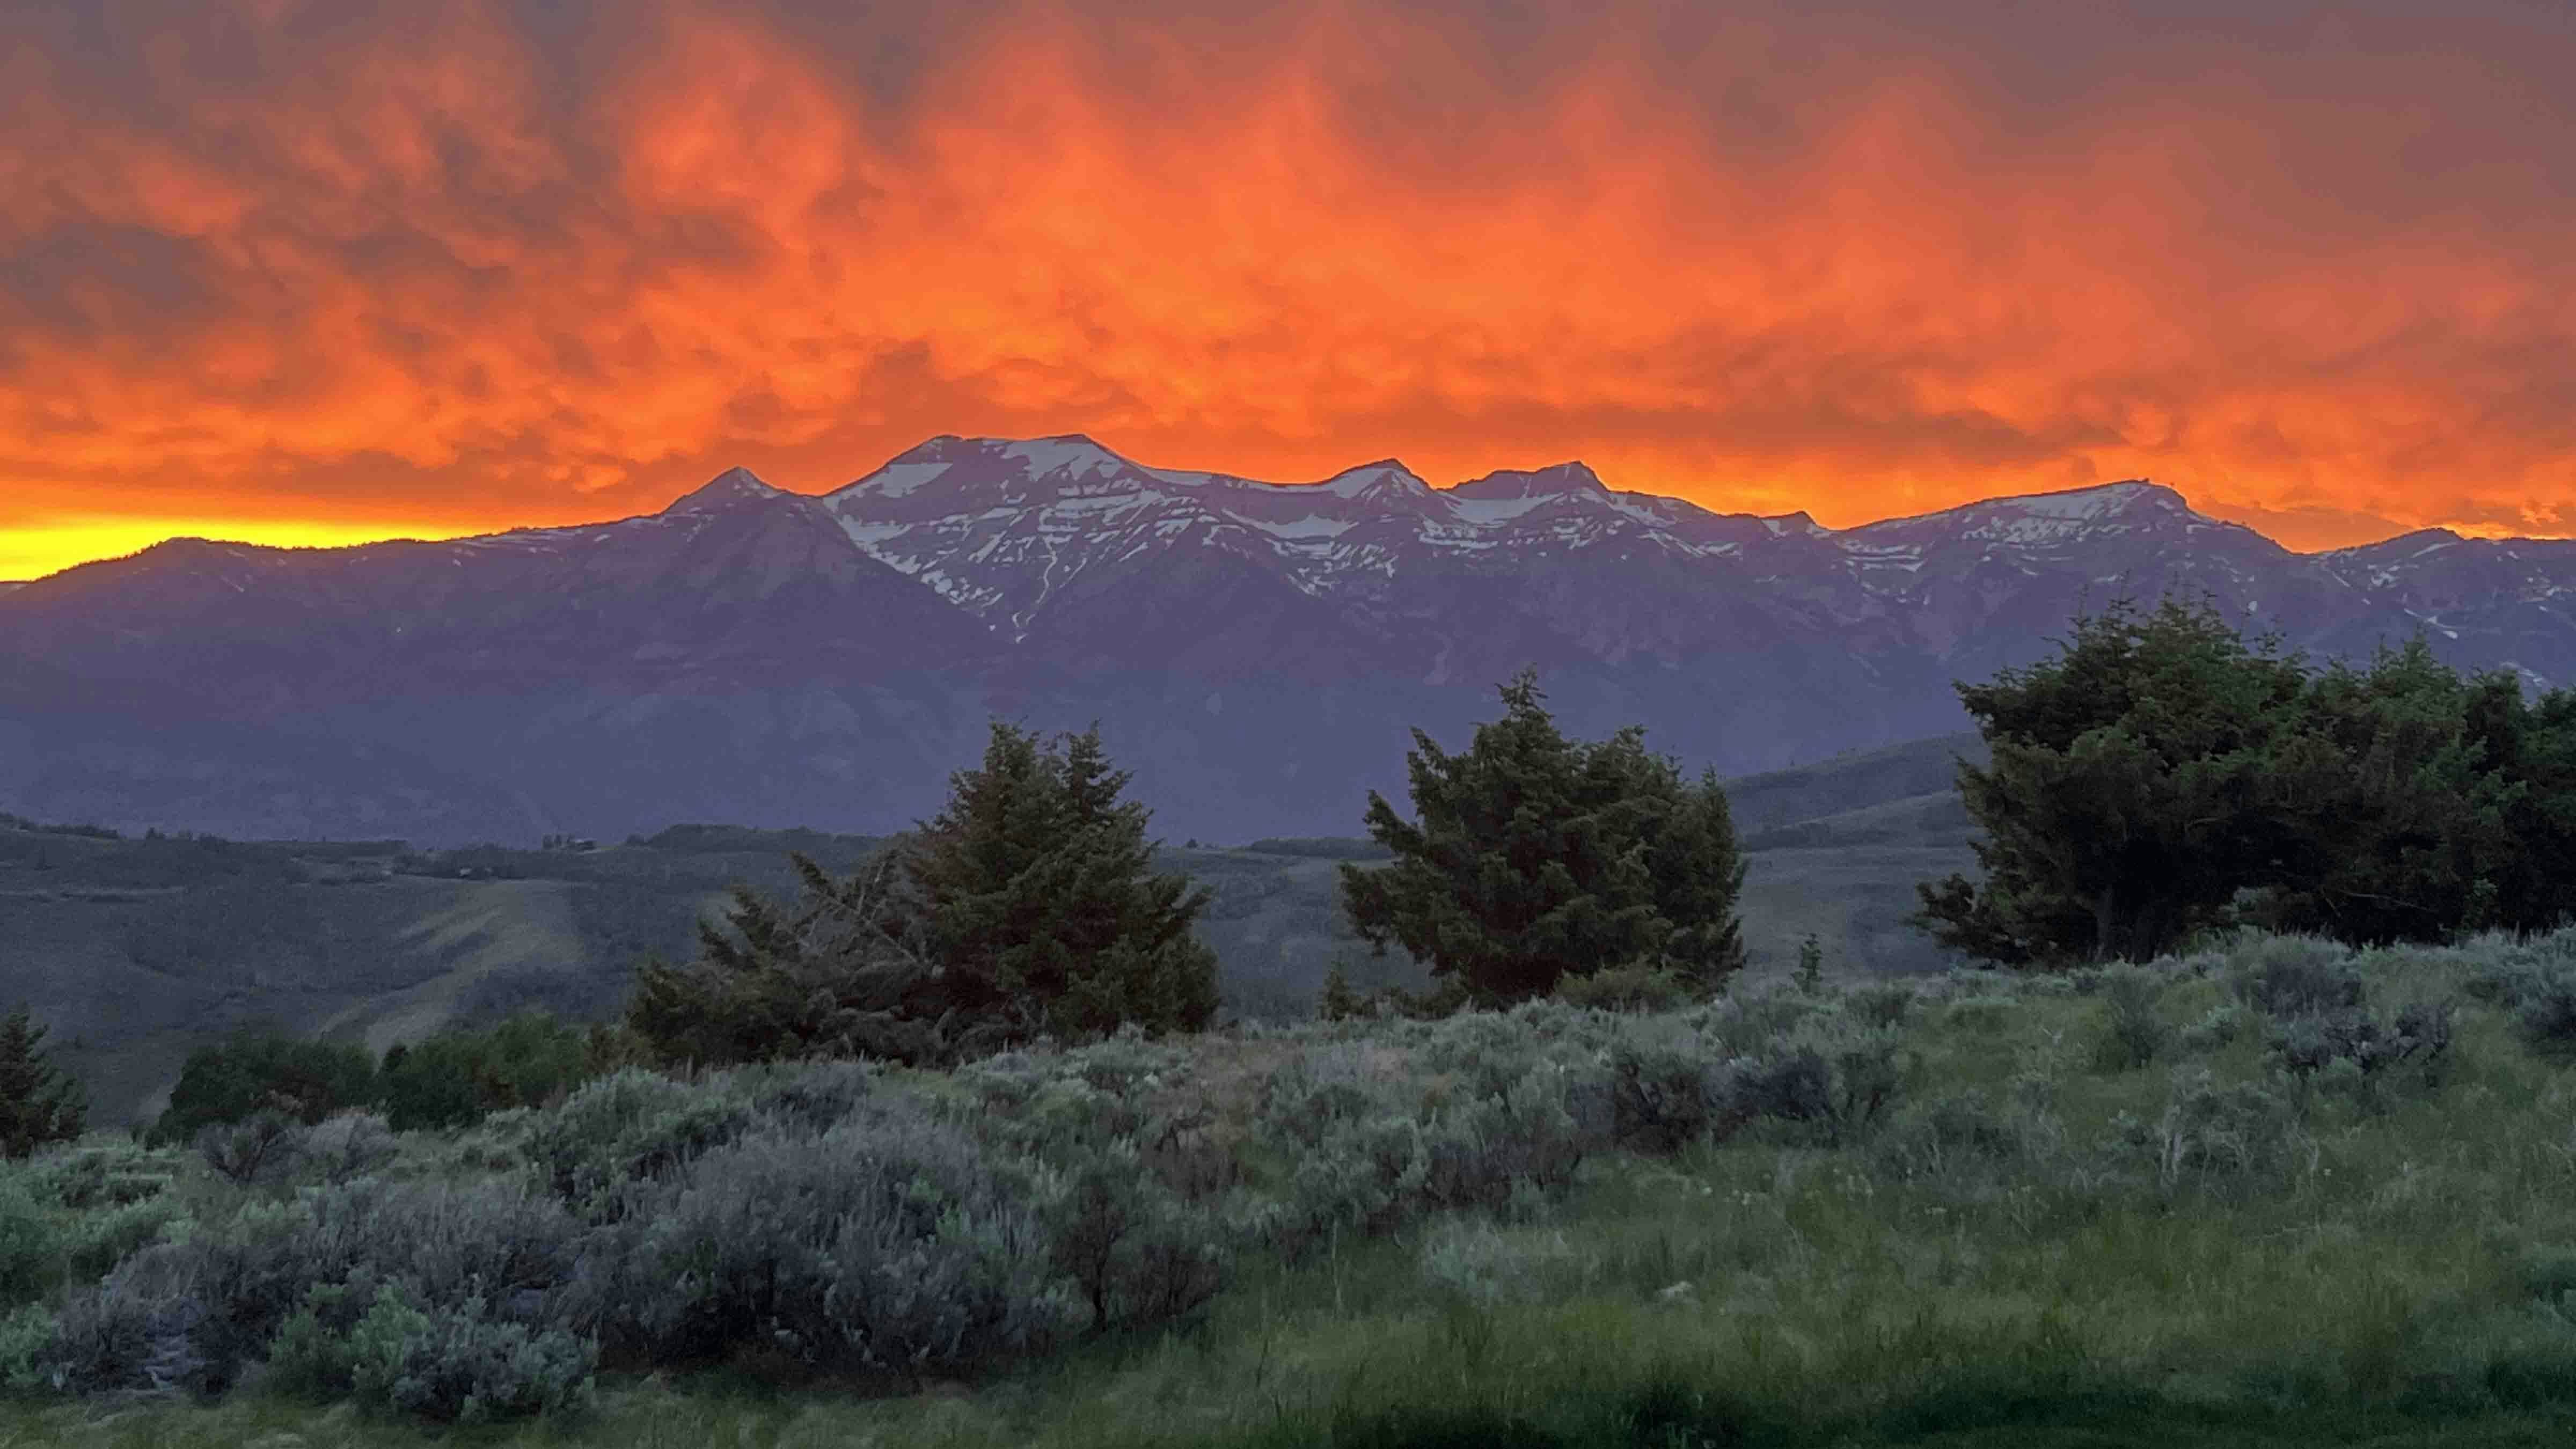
column 2397, row 1272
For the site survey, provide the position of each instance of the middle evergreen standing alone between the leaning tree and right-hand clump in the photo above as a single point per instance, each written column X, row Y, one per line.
column 1539, row 857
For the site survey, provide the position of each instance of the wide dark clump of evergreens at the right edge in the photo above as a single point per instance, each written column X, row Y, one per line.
column 2163, row 775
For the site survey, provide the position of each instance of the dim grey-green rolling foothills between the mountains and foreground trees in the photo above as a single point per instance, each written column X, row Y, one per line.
column 140, row 950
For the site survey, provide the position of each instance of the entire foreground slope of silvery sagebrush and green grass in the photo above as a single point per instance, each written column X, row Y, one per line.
column 2266, row 1192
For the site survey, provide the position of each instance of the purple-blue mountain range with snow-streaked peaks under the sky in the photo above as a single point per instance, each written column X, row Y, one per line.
column 1253, row 651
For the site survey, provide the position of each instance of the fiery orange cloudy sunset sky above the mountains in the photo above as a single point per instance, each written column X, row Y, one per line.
column 313, row 275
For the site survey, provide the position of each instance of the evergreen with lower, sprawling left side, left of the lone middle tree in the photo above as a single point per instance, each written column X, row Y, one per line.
column 1024, row 909
